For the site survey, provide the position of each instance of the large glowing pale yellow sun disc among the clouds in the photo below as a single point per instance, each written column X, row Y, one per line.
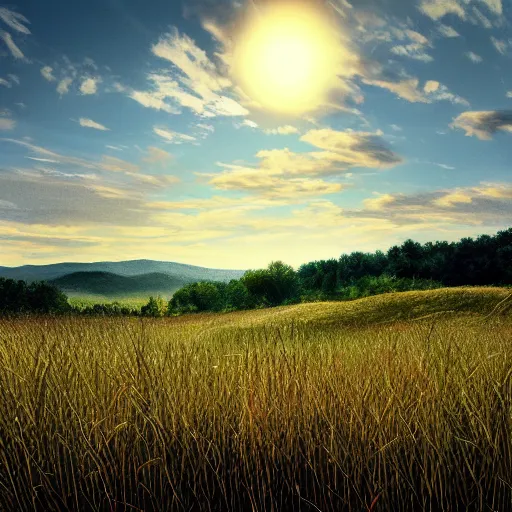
column 286, row 58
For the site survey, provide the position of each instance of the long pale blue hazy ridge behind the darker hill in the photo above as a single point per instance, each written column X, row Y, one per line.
column 178, row 271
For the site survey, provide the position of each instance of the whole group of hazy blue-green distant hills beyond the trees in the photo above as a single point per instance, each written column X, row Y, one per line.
column 119, row 279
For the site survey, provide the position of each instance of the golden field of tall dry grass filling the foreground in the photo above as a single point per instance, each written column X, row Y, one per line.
column 400, row 402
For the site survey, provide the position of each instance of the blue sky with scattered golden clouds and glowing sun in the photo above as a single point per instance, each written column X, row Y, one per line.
column 229, row 134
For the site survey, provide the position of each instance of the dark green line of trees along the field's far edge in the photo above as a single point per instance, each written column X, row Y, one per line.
column 486, row 260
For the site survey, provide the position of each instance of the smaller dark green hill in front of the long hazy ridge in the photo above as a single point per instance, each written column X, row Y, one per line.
column 113, row 285
